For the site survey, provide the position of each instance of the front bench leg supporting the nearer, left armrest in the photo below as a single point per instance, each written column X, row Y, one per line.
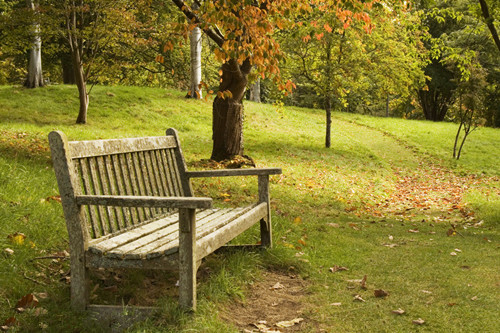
column 187, row 259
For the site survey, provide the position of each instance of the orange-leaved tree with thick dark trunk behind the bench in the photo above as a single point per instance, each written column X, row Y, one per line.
column 243, row 32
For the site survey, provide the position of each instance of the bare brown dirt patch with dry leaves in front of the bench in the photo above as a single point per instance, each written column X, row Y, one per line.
column 277, row 297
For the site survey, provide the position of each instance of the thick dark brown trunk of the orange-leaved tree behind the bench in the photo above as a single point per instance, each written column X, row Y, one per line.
column 227, row 122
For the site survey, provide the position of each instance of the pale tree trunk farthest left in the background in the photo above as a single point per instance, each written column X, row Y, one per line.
column 34, row 78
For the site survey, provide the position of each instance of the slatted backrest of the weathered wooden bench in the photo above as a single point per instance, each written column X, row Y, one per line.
column 149, row 166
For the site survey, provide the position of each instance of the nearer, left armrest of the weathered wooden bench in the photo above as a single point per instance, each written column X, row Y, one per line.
column 144, row 201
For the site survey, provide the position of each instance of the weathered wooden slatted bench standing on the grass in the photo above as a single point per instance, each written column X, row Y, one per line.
column 128, row 203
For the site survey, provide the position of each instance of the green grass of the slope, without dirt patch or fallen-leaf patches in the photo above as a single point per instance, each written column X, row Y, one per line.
column 318, row 185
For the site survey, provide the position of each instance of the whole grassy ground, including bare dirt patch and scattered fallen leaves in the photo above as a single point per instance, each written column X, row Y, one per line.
column 383, row 232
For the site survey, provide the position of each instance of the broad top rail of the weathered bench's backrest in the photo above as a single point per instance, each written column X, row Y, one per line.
column 78, row 149
